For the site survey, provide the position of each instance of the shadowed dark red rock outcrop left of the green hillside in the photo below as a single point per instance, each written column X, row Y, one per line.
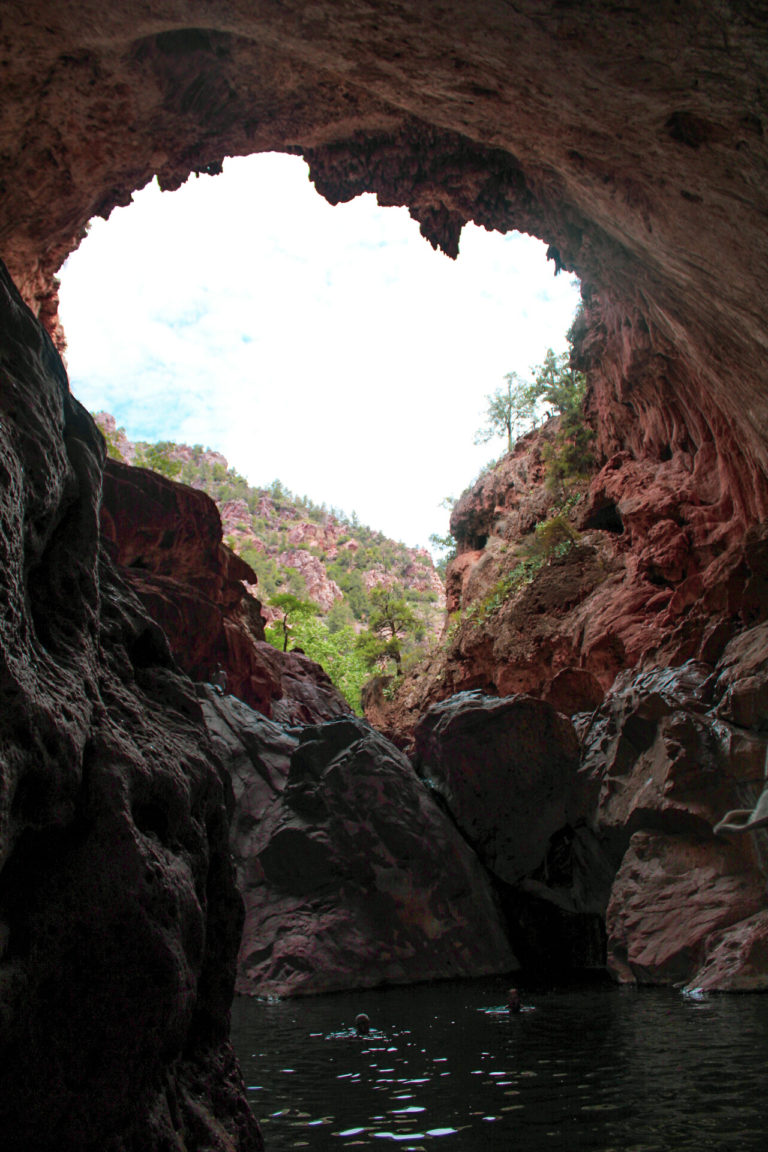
column 166, row 540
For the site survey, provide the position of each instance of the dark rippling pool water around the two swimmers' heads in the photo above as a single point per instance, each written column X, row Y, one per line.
column 447, row 1068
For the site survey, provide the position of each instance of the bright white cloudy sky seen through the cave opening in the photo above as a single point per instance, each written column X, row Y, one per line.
column 329, row 347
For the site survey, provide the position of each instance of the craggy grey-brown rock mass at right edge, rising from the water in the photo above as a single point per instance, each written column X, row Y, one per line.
column 673, row 755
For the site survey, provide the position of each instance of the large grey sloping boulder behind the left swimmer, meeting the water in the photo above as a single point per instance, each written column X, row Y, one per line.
column 352, row 875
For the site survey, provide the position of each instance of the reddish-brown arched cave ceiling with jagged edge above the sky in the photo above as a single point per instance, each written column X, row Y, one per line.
column 630, row 138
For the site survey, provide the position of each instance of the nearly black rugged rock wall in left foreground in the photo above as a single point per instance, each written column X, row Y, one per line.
column 119, row 915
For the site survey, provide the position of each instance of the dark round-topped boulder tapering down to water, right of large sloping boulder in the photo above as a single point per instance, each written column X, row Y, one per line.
column 508, row 771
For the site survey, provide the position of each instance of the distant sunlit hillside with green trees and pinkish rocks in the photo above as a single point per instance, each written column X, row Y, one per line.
column 331, row 587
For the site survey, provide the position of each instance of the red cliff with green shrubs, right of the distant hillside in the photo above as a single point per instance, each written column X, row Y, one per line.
column 660, row 569
